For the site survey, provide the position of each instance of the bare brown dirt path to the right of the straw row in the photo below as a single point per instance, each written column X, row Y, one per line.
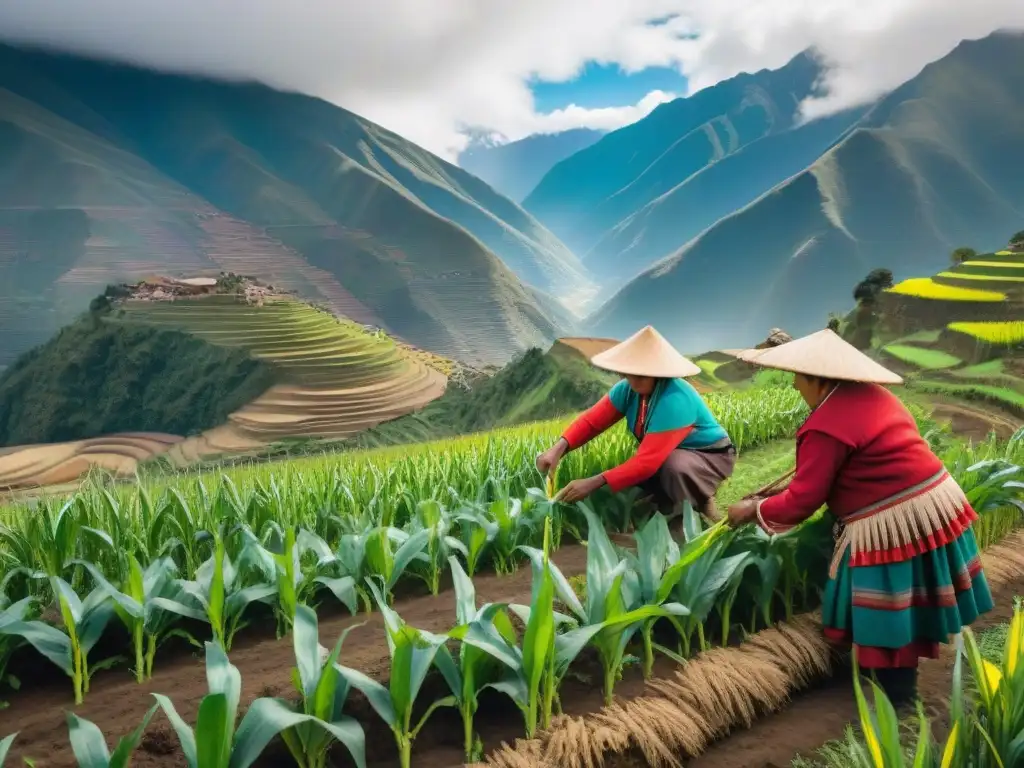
column 823, row 714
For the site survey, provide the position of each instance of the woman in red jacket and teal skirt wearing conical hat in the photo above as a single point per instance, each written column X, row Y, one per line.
column 906, row 575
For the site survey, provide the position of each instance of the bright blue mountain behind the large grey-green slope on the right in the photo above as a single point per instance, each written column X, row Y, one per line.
column 644, row 191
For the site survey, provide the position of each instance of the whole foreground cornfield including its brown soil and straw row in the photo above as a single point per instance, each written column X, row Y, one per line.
column 254, row 566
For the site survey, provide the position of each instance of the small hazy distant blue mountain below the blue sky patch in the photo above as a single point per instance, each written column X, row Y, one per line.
column 516, row 168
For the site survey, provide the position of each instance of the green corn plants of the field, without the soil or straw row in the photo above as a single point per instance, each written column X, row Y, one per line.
column 199, row 557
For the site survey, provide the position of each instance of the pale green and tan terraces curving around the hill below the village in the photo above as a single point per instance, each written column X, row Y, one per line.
column 332, row 379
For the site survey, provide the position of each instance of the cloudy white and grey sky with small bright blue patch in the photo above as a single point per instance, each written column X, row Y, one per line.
column 434, row 70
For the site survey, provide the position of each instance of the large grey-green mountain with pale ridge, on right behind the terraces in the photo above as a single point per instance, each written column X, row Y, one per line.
column 932, row 166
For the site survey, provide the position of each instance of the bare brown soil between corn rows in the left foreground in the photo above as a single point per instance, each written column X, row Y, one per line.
column 117, row 704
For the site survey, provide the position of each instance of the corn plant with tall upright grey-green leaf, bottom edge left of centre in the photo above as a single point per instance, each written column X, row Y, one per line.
column 323, row 692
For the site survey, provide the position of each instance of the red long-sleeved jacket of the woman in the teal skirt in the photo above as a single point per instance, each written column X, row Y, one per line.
column 861, row 446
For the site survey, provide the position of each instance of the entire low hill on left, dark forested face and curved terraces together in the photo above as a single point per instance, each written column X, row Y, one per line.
column 196, row 377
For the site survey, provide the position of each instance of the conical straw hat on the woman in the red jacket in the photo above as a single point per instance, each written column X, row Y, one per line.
column 824, row 355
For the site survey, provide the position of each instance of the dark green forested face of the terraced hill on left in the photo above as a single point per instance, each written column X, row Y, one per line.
column 97, row 378
